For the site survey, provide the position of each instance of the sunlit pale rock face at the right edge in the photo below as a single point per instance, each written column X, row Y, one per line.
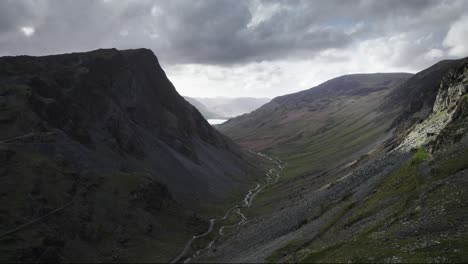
column 447, row 103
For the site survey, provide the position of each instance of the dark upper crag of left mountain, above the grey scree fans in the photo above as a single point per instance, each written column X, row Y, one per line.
column 85, row 93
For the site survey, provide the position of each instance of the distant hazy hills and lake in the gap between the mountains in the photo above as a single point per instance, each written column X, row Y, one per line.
column 225, row 107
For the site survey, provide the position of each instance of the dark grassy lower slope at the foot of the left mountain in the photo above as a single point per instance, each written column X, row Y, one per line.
column 111, row 207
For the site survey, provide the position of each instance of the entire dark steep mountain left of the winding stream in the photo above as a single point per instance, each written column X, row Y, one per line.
column 102, row 160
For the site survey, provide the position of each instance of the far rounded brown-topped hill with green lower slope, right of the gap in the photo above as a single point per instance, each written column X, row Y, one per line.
column 335, row 122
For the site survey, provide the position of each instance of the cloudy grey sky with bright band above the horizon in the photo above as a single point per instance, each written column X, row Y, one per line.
column 254, row 48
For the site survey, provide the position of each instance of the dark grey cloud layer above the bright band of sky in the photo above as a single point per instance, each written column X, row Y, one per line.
column 224, row 31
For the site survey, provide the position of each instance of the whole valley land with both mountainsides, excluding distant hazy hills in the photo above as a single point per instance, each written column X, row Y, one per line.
column 105, row 161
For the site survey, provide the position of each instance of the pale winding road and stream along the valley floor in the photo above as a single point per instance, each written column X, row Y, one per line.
column 272, row 177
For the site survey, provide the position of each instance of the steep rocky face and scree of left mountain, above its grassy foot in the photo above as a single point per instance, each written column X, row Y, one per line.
column 120, row 107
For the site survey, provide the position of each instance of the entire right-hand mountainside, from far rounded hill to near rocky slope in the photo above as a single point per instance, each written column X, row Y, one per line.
column 377, row 169
